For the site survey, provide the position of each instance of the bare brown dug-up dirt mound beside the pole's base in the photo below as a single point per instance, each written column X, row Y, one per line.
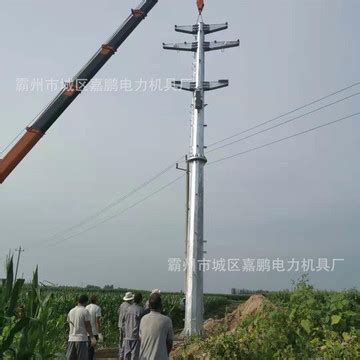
column 227, row 324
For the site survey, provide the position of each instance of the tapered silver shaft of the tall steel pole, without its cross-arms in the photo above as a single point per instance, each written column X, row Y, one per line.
column 197, row 161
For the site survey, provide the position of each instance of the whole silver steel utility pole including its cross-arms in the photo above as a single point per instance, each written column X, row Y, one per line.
column 196, row 160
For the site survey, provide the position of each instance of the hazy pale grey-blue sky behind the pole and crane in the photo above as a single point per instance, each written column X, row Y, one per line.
column 297, row 199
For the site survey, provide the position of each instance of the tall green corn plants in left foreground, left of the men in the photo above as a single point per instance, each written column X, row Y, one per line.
column 26, row 320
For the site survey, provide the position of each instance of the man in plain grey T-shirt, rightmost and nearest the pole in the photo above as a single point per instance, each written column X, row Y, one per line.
column 156, row 332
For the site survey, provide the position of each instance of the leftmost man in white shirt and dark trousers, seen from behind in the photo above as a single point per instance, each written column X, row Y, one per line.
column 80, row 327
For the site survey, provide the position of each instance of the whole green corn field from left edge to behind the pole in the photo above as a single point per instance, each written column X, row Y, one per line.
column 33, row 317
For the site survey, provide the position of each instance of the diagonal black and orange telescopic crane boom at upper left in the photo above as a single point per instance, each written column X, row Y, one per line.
column 71, row 90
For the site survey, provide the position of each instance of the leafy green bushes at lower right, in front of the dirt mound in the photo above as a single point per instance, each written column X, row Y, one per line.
column 302, row 324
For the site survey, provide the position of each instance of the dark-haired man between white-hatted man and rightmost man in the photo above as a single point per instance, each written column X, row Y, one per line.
column 132, row 327
